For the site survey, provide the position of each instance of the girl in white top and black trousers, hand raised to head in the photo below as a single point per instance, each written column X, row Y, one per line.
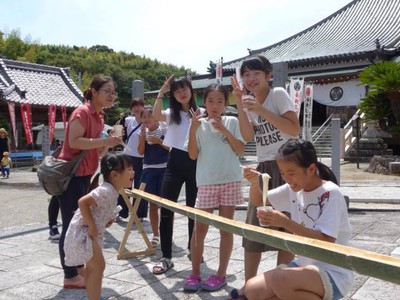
column 180, row 167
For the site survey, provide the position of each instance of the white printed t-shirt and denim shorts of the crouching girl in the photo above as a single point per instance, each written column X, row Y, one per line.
column 323, row 209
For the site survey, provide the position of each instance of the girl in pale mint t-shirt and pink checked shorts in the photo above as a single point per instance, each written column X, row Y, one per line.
column 215, row 141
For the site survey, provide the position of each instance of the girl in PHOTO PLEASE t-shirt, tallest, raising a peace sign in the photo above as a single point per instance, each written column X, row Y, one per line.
column 267, row 116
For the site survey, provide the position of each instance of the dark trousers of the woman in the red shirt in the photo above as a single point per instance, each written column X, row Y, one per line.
column 68, row 205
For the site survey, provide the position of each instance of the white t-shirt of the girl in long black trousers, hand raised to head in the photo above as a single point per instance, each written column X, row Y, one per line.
column 176, row 133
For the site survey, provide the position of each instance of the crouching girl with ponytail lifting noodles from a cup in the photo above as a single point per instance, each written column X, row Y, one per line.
column 318, row 210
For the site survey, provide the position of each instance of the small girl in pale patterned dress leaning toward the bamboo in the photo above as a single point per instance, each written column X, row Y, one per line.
column 96, row 212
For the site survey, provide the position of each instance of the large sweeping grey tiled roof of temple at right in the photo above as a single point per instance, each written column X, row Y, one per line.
column 352, row 31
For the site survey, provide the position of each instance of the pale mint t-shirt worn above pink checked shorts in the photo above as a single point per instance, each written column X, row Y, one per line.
column 216, row 162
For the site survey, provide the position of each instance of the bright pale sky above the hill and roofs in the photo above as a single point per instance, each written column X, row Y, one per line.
column 180, row 32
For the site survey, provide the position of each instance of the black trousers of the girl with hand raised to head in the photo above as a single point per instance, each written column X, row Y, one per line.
column 180, row 169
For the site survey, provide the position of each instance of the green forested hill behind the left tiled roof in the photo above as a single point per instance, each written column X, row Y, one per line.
column 121, row 66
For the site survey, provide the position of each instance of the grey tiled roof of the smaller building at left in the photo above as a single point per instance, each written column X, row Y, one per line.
column 22, row 82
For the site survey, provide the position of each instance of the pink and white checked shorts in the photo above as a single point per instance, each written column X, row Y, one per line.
column 214, row 195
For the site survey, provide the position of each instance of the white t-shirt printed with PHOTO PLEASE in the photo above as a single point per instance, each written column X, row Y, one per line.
column 267, row 137
